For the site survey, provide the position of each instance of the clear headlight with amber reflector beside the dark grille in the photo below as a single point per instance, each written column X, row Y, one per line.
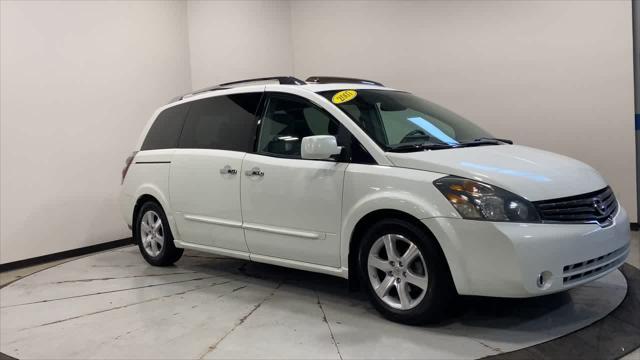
column 479, row 201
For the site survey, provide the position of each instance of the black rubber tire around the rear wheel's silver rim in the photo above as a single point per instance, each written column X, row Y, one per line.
column 168, row 254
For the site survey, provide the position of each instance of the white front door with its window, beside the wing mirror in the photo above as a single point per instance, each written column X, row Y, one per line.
column 291, row 207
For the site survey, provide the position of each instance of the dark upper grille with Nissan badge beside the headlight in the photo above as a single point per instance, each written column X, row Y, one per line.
column 598, row 206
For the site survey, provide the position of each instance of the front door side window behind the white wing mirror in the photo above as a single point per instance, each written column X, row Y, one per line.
column 287, row 119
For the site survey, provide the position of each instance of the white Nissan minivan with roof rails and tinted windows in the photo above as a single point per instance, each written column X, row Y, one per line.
column 350, row 178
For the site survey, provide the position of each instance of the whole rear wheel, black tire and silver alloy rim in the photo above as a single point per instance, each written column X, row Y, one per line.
column 153, row 236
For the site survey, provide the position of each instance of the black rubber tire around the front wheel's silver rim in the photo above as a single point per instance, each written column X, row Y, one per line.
column 440, row 290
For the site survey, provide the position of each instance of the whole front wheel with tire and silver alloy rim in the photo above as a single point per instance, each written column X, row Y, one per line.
column 405, row 274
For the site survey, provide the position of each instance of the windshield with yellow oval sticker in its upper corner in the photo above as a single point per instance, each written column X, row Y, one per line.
column 399, row 120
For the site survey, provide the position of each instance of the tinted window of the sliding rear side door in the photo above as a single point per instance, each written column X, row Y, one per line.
column 222, row 122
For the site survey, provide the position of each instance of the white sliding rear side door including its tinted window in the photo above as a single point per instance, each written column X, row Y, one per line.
column 205, row 172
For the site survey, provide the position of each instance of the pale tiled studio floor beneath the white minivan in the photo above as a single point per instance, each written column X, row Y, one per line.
column 114, row 305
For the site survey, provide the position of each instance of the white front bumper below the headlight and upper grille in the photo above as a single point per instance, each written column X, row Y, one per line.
column 506, row 259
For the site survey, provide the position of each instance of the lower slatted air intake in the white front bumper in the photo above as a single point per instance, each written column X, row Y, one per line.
column 593, row 267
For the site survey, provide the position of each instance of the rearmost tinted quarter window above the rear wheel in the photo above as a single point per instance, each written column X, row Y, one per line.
column 165, row 131
